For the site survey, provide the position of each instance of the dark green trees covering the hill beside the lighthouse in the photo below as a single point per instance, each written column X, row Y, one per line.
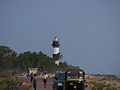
column 11, row 61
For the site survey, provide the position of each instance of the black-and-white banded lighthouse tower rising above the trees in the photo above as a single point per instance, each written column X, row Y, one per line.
column 56, row 50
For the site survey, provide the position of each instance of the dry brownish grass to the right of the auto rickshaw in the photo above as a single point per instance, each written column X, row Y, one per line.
column 102, row 83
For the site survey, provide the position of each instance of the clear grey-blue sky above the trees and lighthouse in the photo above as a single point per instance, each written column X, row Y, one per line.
column 89, row 30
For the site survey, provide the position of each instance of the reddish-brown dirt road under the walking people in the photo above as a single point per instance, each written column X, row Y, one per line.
column 40, row 85
